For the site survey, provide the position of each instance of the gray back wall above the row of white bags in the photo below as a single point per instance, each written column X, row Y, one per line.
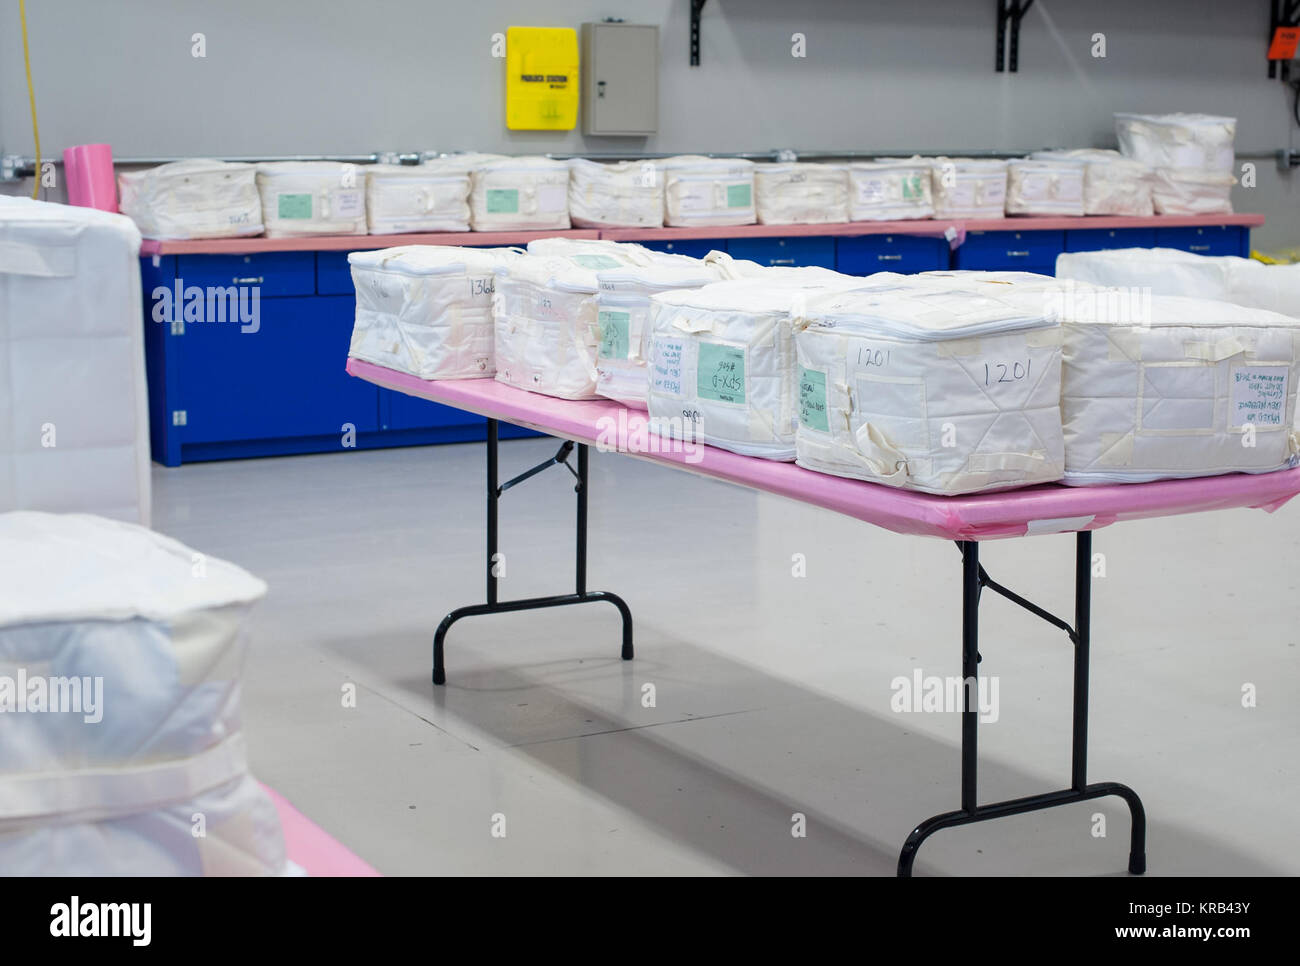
column 327, row 77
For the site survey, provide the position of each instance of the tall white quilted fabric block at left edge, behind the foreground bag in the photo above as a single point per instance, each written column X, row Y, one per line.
column 75, row 427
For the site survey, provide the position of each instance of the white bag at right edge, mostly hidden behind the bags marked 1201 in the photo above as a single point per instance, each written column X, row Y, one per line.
column 1173, row 272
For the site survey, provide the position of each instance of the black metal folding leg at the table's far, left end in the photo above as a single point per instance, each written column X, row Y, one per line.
column 580, row 596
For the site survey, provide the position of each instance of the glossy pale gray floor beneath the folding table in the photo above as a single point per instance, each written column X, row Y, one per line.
column 773, row 692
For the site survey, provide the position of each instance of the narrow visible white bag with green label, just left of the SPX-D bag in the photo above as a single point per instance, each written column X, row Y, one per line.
column 623, row 322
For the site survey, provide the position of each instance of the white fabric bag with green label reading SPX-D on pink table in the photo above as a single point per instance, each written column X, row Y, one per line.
column 722, row 362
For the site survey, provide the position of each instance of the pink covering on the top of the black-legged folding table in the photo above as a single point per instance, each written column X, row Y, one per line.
column 1046, row 509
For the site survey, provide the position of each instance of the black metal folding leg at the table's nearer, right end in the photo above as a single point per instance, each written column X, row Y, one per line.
column 974, row 581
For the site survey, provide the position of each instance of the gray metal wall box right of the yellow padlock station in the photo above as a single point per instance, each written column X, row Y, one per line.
column 621, row 79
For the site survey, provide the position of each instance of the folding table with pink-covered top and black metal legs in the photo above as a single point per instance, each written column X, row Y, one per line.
column 968, row 521
